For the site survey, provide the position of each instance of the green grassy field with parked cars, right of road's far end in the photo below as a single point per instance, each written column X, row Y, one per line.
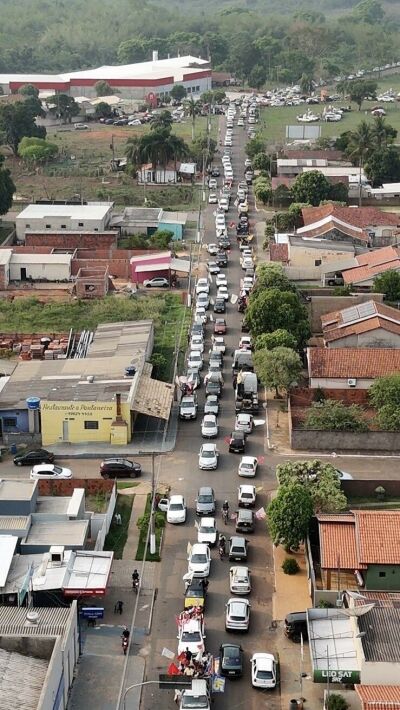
column 273, row 120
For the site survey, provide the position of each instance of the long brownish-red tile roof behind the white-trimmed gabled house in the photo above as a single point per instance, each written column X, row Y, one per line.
column 356, row 216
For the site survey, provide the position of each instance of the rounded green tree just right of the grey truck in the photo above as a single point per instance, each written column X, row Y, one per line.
column 277, row 369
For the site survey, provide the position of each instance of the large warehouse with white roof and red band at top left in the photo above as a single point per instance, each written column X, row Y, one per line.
column 140, row 81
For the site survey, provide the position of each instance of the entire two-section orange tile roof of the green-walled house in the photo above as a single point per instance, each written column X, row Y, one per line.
column 360, row 538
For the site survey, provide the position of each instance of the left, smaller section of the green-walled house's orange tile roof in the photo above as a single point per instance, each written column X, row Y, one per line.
column 338, row 542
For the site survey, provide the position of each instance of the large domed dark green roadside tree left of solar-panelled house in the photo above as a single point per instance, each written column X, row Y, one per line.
column 272, row 309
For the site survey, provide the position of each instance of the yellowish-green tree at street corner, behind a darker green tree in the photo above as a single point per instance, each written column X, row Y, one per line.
column 320, row 479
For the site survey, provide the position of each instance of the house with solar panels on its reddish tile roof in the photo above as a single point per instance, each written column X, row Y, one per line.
column 367, row 325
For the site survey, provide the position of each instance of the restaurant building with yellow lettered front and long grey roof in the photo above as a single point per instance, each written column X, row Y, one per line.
column 91, row 399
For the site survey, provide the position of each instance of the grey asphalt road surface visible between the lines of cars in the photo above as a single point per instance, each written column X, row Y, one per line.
column 184, row 477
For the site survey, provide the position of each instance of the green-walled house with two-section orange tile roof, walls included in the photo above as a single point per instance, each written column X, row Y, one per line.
column 362, row 541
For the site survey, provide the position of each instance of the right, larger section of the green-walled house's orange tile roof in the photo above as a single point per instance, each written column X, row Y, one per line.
column 378, row 536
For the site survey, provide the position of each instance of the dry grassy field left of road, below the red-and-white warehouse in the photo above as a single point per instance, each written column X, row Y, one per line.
column 83, row 168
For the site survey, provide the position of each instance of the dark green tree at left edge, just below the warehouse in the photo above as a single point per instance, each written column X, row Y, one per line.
column 18, row 120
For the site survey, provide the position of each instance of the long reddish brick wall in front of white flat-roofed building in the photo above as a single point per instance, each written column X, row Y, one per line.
column 72, row 240
